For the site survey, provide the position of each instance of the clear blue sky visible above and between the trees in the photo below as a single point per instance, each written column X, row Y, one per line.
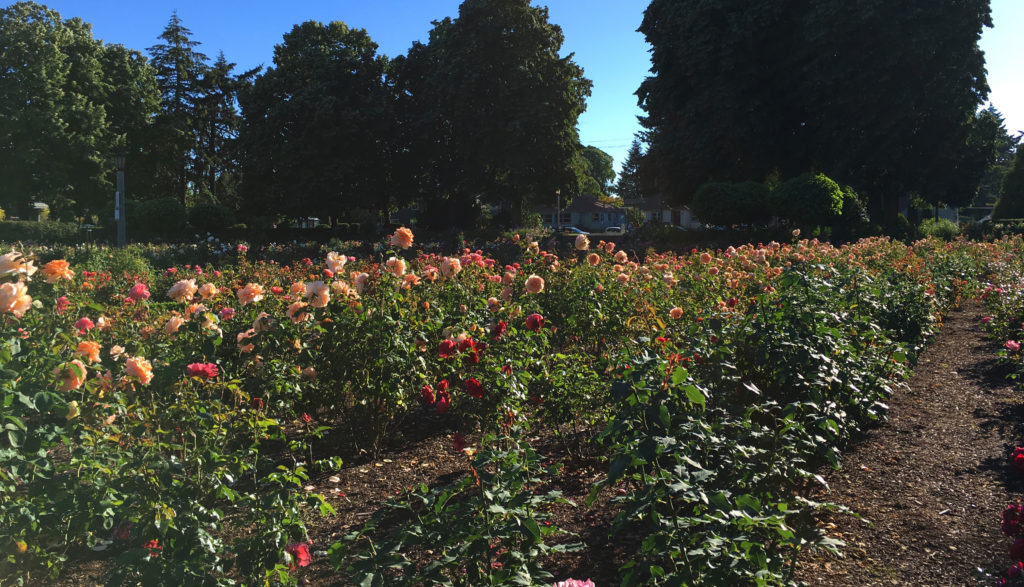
column 602, row 33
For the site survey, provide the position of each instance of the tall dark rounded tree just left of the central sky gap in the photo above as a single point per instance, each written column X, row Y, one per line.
column 491, row 109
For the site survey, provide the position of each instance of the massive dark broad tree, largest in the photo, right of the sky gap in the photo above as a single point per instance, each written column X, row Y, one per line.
column 881, row 95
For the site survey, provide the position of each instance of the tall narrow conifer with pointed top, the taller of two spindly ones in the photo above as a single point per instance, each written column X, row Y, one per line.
column 174, row 144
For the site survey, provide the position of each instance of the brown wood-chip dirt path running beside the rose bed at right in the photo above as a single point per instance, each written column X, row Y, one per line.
column 934, row 480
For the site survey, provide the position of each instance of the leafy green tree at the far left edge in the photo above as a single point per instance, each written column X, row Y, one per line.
column 68, row 104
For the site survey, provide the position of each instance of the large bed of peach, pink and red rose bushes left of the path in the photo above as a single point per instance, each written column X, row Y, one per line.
column 147, row 413
